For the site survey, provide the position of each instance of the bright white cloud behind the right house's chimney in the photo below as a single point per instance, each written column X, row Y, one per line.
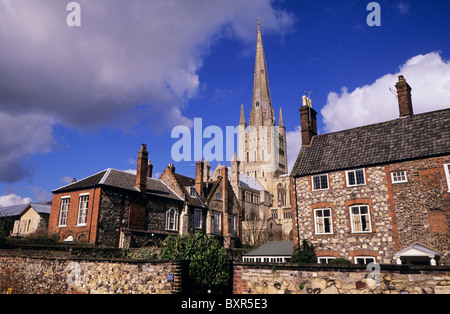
column 428, row 75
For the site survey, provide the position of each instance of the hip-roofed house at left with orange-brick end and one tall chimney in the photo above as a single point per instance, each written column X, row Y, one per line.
column 113, row 208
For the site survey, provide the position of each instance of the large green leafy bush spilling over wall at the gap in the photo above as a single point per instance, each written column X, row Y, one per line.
column 207, row 255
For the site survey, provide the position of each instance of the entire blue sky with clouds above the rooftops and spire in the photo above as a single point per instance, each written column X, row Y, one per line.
column 77, row 100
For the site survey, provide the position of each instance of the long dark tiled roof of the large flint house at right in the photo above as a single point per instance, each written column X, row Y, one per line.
column 415, row 137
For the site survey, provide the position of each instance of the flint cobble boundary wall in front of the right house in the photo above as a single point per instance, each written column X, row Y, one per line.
column 334, row 279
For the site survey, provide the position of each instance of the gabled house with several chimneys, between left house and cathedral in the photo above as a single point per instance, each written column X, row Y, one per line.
column 210, row 207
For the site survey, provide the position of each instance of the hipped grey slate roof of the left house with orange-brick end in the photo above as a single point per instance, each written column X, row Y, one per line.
column 121, row 180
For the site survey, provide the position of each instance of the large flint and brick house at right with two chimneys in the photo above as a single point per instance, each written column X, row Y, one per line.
column 377, row 193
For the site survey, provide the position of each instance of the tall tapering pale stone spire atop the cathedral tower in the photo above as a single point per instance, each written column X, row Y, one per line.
column 262, row 113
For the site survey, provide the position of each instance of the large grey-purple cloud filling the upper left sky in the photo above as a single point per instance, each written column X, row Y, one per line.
column 126, row 55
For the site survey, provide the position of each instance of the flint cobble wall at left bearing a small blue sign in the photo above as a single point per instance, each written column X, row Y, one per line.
column 39, row 275
